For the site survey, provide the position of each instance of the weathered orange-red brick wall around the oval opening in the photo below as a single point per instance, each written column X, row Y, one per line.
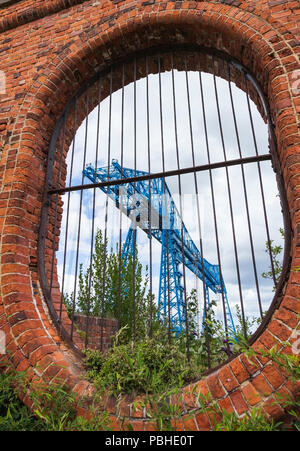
column 47, row 50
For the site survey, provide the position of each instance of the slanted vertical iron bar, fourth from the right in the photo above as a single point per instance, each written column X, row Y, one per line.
column 213, row 202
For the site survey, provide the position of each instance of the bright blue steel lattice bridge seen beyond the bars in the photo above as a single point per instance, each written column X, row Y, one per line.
column 150, row 206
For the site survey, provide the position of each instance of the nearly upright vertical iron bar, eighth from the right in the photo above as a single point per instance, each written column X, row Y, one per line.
column 150, row 197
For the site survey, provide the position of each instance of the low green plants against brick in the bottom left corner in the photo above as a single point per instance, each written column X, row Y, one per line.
column 54, row 408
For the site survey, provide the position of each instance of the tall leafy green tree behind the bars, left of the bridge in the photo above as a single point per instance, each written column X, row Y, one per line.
column 109, row 288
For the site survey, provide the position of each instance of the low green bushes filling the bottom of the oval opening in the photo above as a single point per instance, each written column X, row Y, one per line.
column 153, row 365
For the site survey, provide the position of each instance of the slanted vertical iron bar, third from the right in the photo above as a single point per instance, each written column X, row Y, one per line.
column 230, row 204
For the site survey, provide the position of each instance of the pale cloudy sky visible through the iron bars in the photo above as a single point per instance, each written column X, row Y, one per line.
column 187, row 181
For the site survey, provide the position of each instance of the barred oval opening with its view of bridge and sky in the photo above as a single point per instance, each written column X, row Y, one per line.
column 166, row 159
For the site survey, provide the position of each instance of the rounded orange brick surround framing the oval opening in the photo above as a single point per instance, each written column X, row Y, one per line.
column 264, row 49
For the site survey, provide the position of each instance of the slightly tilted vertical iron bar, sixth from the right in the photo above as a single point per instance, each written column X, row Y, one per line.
column 180, row 209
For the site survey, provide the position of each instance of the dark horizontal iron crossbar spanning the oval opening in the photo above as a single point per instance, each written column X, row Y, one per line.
column 201, row 168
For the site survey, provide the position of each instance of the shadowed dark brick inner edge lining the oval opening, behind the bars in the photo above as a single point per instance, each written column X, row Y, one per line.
column 210, row 61
